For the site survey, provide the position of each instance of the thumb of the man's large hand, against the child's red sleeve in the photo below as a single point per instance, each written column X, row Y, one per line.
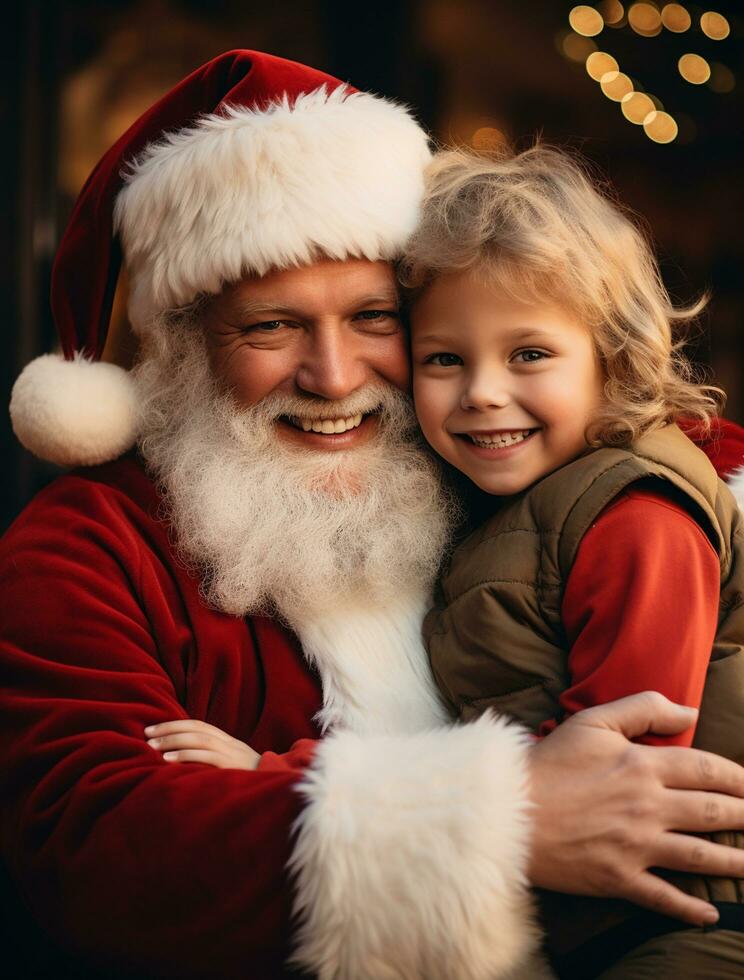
column 640, row 714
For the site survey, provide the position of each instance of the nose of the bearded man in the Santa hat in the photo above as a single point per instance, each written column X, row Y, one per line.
column 332, row 366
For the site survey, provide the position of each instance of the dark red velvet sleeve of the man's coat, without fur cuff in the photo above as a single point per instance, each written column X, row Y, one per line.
column 154, row 868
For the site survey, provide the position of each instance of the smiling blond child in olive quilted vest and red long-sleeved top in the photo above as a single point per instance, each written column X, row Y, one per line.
column 545, row 371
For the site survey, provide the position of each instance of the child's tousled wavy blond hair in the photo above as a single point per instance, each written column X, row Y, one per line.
column 535, row 226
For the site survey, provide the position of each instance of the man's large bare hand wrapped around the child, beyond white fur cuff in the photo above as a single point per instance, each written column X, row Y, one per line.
column 608, row 810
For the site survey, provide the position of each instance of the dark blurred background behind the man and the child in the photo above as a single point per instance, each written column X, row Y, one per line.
column 76, row 74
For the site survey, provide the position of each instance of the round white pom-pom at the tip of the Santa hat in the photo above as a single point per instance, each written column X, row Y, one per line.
column 74, row 413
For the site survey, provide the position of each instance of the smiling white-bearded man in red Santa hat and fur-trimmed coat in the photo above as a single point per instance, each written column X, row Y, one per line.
column 273, row 586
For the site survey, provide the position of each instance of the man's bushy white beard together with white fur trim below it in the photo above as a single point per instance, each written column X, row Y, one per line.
column 343, row 546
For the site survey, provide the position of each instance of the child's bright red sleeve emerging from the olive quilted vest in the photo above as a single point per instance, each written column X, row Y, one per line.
column 641, row 607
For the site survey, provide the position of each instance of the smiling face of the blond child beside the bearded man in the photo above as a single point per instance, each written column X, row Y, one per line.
column 503, row 390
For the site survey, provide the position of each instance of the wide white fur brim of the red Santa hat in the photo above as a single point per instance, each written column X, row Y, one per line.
column 248, row 191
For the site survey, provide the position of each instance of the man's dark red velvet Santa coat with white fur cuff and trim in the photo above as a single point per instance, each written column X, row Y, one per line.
column 409, row 851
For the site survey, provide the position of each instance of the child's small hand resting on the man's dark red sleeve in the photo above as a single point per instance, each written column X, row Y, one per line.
column 188, row 740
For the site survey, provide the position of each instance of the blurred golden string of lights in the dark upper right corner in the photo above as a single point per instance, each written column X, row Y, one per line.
column 646, row 20
